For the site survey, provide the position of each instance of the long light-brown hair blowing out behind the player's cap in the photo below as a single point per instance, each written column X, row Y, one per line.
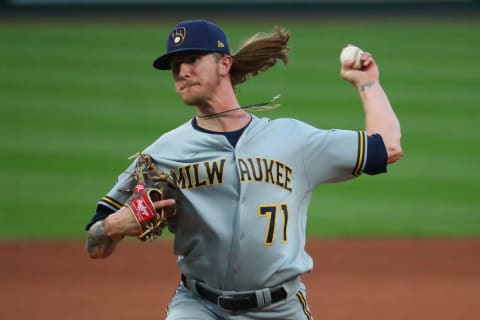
column 258, row 54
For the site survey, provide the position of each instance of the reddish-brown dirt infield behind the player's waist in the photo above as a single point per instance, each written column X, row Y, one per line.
column 352, row 279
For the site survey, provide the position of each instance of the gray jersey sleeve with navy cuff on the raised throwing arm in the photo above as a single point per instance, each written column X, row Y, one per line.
column 337, row 155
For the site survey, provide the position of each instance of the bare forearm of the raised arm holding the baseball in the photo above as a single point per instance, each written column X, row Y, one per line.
column 380, row 117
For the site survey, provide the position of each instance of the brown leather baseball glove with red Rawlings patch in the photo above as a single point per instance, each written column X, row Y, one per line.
column 151, row 184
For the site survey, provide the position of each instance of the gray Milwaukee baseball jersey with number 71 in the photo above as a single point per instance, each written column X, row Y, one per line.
column 242, row 210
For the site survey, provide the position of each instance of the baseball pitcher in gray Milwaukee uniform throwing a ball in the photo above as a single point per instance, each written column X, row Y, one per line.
column 235, row 188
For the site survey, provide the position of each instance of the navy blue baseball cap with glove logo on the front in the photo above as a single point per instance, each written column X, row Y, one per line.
column 193, row 35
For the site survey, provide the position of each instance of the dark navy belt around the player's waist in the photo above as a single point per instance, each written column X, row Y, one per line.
column 233, row 301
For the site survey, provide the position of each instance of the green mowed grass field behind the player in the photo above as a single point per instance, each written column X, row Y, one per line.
column 78, row 98
